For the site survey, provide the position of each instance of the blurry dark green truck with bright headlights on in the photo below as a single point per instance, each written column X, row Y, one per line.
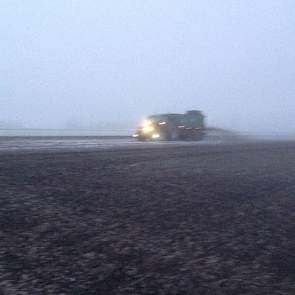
column 167, row 127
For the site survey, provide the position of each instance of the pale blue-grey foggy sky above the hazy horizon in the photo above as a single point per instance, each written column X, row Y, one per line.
column 67, row 61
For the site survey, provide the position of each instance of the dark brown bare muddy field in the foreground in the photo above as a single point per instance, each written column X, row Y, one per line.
column 216, row 219
